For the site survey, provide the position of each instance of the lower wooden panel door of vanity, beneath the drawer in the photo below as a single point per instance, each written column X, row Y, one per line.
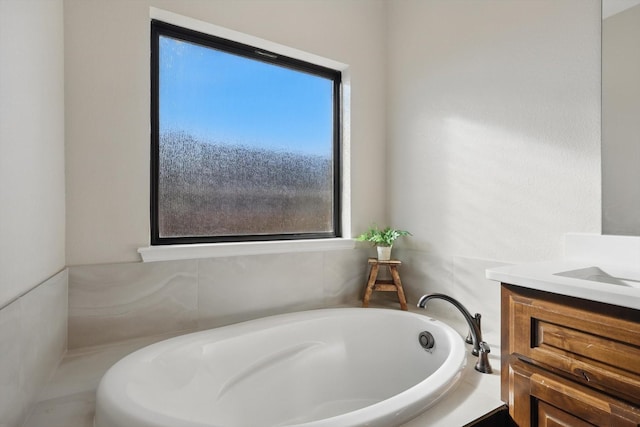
column 538, row 398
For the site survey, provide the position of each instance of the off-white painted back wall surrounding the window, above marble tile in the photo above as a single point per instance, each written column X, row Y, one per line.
column 107, row 101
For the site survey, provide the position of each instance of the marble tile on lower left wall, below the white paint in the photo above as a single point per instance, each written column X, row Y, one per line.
column 33, row 339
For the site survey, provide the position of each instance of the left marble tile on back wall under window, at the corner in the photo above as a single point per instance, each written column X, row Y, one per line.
column 115, row 302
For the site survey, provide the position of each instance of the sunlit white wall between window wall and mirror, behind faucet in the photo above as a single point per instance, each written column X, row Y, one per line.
column 494, row 119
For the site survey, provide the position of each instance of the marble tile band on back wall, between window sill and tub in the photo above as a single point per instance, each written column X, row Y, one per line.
column 115, row 302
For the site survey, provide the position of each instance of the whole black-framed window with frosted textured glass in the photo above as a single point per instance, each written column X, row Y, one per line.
column 245, row 142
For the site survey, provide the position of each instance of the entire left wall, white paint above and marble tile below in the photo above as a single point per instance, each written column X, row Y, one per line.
column 33, row 289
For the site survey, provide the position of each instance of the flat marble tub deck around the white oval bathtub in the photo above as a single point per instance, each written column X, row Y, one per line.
column 68, row 400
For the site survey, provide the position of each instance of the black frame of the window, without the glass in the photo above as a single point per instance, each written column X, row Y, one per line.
column 160, row 28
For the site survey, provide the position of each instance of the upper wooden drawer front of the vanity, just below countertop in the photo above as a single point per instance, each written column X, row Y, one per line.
column 587, row 345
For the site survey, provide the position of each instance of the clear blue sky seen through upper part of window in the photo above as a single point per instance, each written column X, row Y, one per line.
column 226, row 98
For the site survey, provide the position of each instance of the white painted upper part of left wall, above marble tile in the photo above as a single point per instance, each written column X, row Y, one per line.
column 32, row 180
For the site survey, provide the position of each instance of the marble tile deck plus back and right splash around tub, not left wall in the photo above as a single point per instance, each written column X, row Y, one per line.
column 128, row 306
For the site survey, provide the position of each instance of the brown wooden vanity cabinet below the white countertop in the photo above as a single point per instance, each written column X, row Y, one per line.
column 569, row 362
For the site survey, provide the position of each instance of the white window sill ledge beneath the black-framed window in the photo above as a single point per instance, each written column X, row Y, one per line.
column 215, row 250
